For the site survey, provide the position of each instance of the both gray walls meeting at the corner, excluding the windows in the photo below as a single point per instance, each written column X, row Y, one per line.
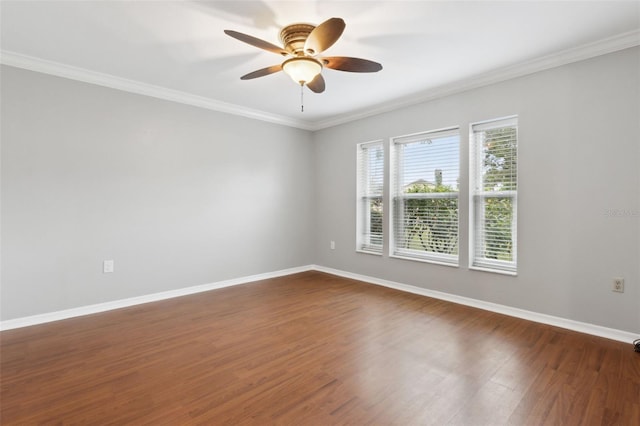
column 179, row 196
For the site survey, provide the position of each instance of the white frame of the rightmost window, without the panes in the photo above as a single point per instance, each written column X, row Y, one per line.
column 477, row 196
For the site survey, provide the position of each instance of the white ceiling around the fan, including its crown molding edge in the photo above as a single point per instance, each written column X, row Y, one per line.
column 177, row 49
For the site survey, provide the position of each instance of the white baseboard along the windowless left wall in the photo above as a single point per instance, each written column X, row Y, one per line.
column 123, row 303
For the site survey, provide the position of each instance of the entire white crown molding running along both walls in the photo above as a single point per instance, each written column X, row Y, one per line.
column 568, row 56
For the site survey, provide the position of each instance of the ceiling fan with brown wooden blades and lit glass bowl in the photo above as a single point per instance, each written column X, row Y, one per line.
column 303, row 43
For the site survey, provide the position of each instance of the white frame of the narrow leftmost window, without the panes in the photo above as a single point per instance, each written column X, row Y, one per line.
column 365, row 195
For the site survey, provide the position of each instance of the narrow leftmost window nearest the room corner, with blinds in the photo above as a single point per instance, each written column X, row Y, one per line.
column 370, row 188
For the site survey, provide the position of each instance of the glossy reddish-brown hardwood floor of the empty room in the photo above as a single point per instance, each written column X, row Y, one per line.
column 313, row 349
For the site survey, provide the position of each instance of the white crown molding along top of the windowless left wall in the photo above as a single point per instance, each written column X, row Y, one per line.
column 32, row 63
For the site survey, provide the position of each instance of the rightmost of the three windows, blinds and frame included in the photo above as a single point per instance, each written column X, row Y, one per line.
column 494, row 190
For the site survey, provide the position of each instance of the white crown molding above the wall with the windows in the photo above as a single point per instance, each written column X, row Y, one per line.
column 565, row 57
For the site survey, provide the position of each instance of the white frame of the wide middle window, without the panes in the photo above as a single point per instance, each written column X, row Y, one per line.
column 397, row 200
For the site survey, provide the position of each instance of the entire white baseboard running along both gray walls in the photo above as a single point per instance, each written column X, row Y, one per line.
column 596, row 330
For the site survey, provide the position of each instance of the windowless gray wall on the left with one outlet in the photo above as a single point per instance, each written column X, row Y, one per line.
column 177, row 196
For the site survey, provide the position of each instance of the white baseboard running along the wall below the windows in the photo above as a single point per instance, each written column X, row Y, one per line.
column 582, row 327
